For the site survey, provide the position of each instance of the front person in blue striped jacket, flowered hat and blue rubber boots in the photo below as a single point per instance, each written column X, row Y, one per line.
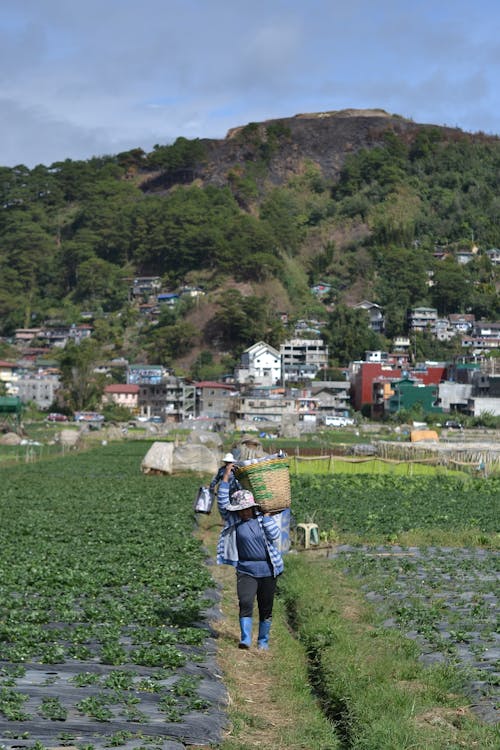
column 247, row 542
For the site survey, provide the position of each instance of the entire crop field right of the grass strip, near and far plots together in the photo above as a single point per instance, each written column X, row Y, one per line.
column 445, row 598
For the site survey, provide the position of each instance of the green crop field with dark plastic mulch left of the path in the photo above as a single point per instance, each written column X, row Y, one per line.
column 103, row 590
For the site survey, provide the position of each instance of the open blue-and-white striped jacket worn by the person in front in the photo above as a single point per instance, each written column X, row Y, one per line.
column 227, row 548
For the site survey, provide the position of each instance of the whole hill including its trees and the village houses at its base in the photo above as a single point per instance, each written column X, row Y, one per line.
column 310, row 270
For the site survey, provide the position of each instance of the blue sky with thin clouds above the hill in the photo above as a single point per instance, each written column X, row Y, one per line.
column 84, row 78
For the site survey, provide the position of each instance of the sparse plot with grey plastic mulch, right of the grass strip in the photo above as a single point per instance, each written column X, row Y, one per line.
column 444, row 599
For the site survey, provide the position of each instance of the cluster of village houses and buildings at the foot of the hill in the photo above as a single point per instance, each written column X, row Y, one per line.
column 270, row 385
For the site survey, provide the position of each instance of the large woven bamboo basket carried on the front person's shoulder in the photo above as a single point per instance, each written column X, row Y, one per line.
column 268, row 481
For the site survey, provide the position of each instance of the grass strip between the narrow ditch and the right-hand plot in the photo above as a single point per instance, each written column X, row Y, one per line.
column 369, row 680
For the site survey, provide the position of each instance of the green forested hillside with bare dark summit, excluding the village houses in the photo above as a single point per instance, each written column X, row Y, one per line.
column 374, row 205
